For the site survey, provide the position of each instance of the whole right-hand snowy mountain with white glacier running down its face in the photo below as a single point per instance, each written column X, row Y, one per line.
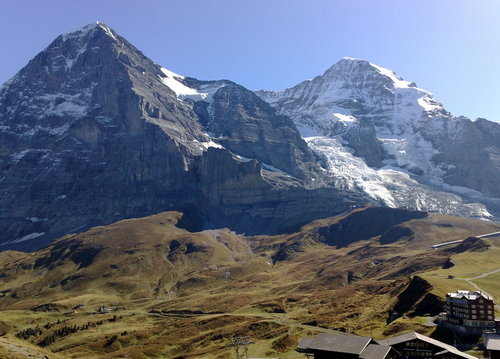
column 391, row 140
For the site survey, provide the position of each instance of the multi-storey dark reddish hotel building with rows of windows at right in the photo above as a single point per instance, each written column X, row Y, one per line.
column 470, row 309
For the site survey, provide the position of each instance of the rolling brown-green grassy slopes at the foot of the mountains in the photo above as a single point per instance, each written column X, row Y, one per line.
column 182, row 294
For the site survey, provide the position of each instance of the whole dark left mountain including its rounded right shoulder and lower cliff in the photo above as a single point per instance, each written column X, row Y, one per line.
column 92, row 131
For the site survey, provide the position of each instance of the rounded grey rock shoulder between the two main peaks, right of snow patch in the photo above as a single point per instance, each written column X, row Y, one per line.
column 243, row 123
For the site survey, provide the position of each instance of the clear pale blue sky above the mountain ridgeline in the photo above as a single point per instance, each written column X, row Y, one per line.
column 449, row 47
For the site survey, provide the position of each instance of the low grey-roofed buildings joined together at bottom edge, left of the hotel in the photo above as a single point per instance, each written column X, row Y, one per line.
column 407, row 346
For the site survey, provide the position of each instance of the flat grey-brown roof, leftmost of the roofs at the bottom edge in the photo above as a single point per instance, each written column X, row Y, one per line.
column 339, row 343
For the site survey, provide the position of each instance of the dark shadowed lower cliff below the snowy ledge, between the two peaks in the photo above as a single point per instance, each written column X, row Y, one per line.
column 241, row 194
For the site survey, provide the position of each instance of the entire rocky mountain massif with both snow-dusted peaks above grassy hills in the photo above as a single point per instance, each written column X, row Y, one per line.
column 92, row 131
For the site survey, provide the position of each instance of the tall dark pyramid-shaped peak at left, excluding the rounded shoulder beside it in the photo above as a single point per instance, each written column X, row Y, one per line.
column 90, row 134
